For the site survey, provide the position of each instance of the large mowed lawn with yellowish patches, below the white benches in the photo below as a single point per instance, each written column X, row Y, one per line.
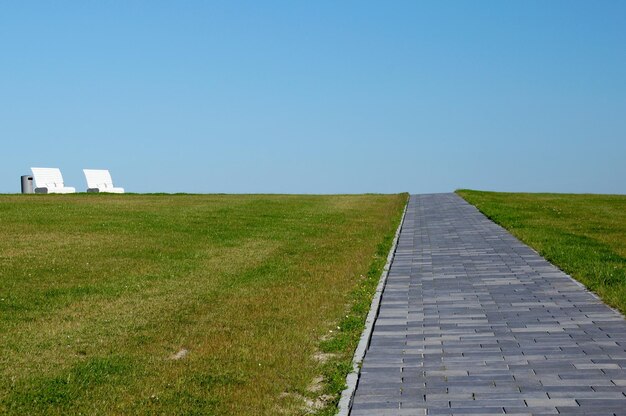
column 184, row 304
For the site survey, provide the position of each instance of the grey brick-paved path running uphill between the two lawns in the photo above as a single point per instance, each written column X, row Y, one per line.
column 474, row 322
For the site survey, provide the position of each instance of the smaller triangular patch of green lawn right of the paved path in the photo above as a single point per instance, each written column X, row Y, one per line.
column 584, row 235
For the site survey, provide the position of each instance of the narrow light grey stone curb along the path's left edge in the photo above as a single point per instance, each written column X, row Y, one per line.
column 345, row 402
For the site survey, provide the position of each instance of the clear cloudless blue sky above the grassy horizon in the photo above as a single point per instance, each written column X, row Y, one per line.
column 316, row 97
